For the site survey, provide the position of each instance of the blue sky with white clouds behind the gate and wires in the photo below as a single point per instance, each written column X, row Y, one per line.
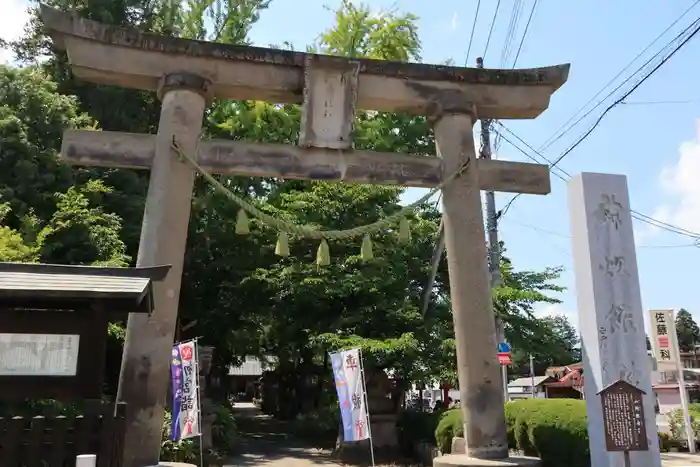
column 656, row 146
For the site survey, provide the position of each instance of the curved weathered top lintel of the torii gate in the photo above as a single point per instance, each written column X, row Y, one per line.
column 129, row 58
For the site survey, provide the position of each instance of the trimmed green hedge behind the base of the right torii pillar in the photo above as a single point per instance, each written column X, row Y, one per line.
column 555, row 430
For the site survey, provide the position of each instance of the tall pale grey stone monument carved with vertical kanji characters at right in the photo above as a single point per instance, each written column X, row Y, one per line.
column 611, row 318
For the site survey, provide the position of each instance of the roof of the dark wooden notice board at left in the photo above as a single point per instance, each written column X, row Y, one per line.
column 23, row 284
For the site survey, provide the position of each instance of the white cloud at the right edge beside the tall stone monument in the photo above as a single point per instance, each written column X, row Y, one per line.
column 680, row 183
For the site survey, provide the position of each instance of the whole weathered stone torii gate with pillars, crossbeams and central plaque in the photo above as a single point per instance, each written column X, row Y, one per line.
column 187, row 74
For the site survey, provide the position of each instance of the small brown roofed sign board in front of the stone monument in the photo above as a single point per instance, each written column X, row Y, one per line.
column 623, row 417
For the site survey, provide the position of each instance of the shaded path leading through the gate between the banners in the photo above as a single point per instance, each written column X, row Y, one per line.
column 264, row 443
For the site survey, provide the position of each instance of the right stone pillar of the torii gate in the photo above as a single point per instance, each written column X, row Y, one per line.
column 475, row 333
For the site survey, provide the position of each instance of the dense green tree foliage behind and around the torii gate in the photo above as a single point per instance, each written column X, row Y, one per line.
column 236, row 294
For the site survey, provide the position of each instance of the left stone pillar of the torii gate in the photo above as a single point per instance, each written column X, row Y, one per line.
column 145, row 367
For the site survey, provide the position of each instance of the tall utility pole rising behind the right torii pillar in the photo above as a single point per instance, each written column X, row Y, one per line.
column 492, row 229
